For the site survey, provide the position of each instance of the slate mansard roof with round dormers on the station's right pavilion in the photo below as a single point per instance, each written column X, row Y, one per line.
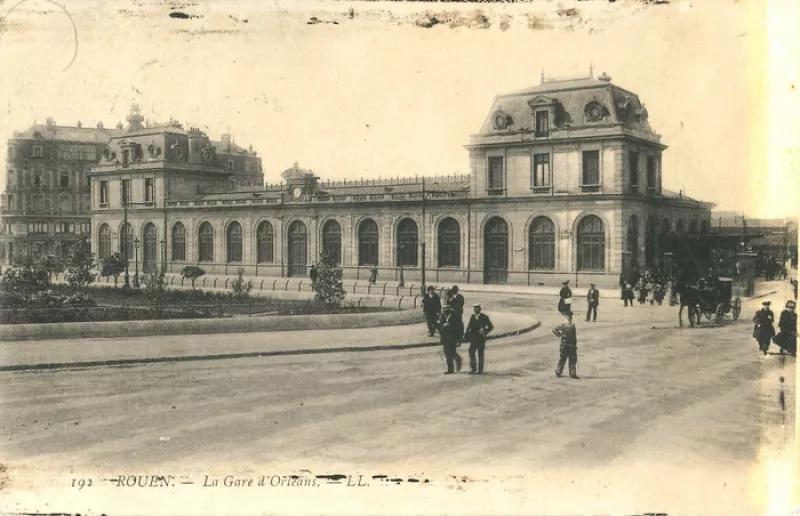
column 571, row 98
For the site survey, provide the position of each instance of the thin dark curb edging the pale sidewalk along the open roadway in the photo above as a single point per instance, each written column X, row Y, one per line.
column 252, row 354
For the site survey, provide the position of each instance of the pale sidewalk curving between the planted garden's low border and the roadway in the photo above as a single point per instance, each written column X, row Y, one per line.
column 31, row 355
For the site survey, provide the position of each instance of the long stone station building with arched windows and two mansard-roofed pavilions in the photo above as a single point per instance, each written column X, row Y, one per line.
column 565, row 183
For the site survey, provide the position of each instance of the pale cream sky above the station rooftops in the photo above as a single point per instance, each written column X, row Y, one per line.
column 376, row 96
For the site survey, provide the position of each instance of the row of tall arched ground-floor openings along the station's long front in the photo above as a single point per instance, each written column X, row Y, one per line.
column 541, row 242
